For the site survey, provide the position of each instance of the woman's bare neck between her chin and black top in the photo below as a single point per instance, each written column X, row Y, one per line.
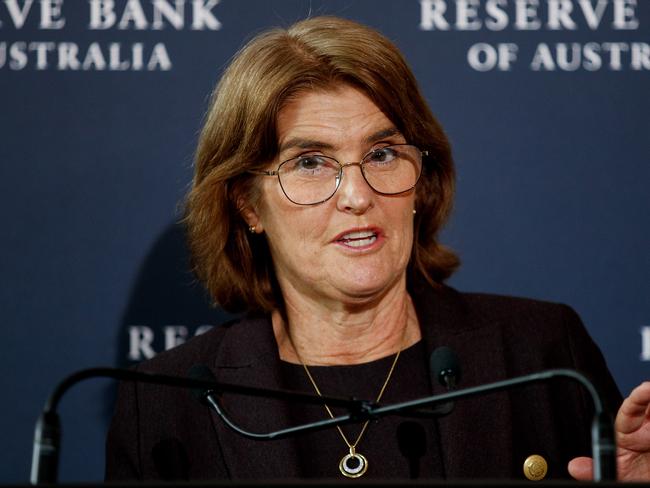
column 314, row 334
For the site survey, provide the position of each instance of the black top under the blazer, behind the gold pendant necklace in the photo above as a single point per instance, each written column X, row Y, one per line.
column 395, row 446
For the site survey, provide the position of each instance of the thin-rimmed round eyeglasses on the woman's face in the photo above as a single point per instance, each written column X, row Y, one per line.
column 314, row 178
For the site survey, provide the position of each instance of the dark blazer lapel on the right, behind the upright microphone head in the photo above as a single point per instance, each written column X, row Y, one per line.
column 475, row 438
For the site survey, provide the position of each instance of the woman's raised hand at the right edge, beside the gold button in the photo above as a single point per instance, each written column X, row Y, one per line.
column 632, row 428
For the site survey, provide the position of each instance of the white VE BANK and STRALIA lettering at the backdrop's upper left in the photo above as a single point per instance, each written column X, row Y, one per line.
column 103, row 15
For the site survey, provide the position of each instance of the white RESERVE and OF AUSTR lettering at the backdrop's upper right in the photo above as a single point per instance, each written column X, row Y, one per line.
column 549, row 16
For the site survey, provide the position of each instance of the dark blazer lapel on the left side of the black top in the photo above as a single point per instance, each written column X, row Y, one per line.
column 248, row 356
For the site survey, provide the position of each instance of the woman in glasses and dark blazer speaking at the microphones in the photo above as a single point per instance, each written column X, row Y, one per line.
column 322, row 180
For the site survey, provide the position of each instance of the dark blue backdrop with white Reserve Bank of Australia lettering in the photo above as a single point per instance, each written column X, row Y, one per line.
column 546, row 102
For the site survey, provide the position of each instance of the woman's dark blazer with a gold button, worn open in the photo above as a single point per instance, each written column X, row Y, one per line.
column 164, row 433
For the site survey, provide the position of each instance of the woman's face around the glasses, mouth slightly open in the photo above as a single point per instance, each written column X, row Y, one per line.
column 355, row 246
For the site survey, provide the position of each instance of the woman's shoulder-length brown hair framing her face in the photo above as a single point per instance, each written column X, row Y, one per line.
column 240, row 134
